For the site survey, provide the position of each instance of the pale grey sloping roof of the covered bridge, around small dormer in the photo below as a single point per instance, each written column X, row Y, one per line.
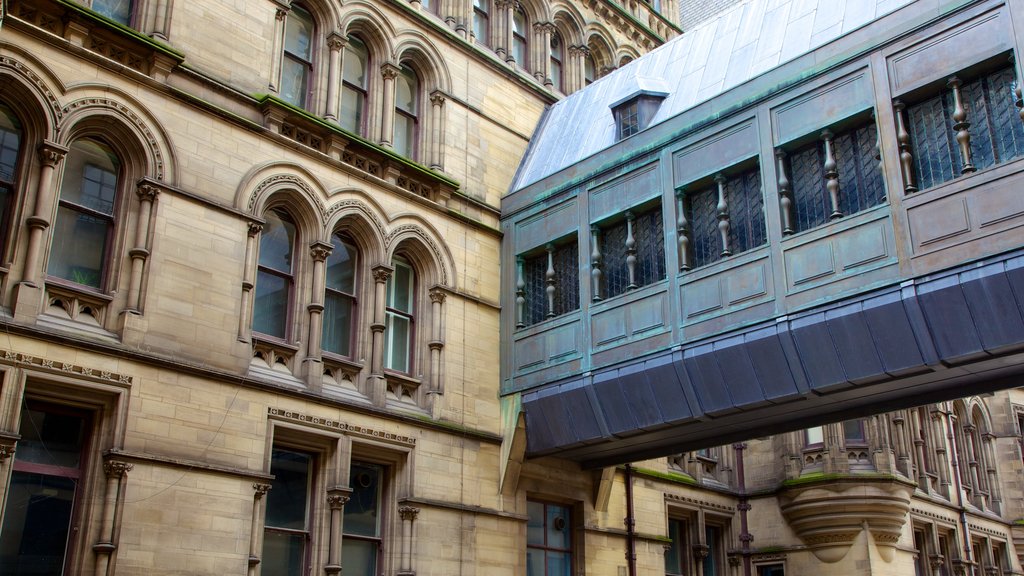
column 743, row 43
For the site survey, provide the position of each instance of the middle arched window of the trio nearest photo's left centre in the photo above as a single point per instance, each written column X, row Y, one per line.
column 339, row 300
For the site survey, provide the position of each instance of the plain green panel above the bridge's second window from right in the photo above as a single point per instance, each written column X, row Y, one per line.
column 824, row 107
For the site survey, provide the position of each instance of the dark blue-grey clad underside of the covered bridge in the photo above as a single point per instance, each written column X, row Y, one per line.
column 935, row 338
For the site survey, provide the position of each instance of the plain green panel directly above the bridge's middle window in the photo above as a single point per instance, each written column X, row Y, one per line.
column 713, row 154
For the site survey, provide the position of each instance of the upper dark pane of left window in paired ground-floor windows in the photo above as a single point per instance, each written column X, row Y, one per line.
column 289, row 497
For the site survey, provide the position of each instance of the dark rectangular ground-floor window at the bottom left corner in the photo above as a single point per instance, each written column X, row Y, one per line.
column 44, row 489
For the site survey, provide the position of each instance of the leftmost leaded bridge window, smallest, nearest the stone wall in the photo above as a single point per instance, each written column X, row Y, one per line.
column 548, row 282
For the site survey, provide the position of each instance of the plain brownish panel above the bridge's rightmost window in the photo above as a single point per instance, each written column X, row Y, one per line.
column 951, row 52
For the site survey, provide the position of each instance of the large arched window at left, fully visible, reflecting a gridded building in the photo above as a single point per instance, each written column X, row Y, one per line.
column 84, row 225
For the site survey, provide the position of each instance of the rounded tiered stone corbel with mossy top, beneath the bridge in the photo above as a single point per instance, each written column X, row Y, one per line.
column 829, row 515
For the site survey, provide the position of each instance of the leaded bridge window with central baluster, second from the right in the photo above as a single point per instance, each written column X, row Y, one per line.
column 835, row 176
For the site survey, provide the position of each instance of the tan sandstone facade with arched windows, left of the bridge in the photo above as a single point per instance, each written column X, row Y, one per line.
column 249, row 278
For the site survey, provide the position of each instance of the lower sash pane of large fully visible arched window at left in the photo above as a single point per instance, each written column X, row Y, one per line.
column 79, row 248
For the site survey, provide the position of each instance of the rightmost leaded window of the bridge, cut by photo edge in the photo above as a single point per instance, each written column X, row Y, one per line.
column 982, row 109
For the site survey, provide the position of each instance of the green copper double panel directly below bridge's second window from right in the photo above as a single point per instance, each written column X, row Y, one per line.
column 840, row 251
